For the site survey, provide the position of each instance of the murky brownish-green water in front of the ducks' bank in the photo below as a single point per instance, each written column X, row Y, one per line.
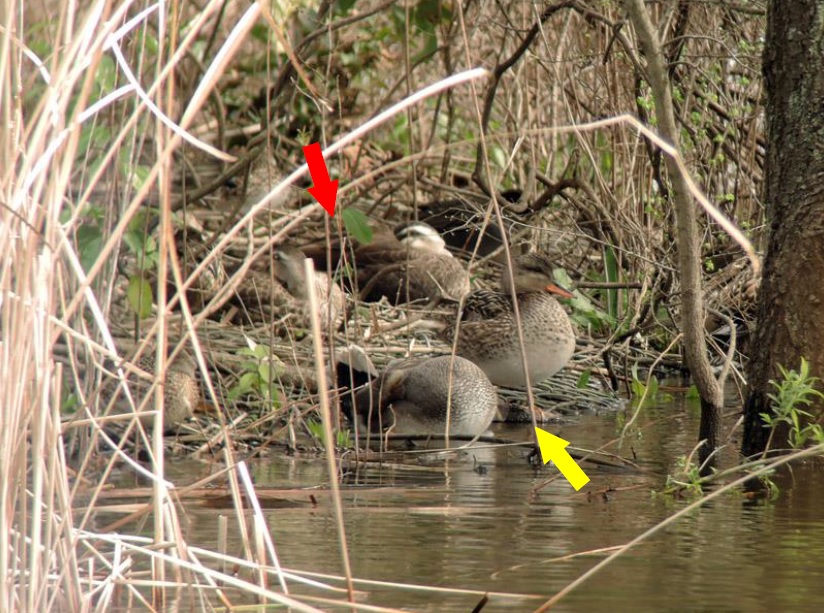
column 452, row 525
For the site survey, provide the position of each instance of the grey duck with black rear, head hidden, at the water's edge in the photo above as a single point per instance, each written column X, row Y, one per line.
column 411, row 397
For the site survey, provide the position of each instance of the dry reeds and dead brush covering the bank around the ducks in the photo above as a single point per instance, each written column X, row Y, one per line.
column 121, row 233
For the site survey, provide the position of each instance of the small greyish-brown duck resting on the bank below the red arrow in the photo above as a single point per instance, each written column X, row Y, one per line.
column 282, row 293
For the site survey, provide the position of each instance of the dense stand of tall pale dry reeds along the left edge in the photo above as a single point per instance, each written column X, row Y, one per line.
column 52, row 290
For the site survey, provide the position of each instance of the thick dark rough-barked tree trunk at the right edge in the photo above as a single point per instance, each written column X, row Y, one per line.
column 791, row 302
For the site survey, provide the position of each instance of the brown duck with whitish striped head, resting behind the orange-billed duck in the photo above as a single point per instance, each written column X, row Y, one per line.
column 406, row 265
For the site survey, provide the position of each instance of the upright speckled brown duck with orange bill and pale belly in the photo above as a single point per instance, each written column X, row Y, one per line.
column 488, row 333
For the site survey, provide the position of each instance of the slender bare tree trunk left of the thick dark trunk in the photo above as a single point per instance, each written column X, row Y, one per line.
column 688, row 242
